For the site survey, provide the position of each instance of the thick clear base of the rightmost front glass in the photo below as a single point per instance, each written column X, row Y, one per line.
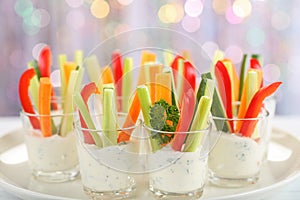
column 231, row 182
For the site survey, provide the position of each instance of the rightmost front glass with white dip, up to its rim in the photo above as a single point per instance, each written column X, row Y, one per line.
column 238, row 155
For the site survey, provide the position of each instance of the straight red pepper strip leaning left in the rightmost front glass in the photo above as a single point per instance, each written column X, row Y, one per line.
column 224, row 84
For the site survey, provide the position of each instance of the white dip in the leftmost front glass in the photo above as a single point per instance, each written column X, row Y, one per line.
column 50, row 154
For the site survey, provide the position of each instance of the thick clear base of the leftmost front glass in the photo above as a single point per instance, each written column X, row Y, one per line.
column 57, row 176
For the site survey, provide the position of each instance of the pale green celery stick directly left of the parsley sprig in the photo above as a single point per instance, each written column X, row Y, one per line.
column 145, row 101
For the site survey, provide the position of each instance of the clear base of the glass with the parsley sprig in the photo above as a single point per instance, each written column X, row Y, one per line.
column 195, row 194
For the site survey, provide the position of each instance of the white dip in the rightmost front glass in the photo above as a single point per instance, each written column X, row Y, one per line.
column 236, row 157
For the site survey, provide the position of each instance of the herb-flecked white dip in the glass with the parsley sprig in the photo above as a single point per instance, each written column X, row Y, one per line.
column 185, row 172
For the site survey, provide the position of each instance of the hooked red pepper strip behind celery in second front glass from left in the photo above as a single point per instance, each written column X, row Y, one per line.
column 86, row 92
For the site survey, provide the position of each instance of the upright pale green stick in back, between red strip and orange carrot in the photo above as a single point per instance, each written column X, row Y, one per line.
column 127, row 83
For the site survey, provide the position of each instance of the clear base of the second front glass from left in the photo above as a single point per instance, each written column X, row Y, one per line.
column 116, row 194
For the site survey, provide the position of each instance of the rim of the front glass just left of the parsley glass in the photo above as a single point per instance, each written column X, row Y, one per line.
column 77, row 124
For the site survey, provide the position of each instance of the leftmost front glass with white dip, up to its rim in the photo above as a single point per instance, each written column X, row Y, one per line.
column 52, row 154
